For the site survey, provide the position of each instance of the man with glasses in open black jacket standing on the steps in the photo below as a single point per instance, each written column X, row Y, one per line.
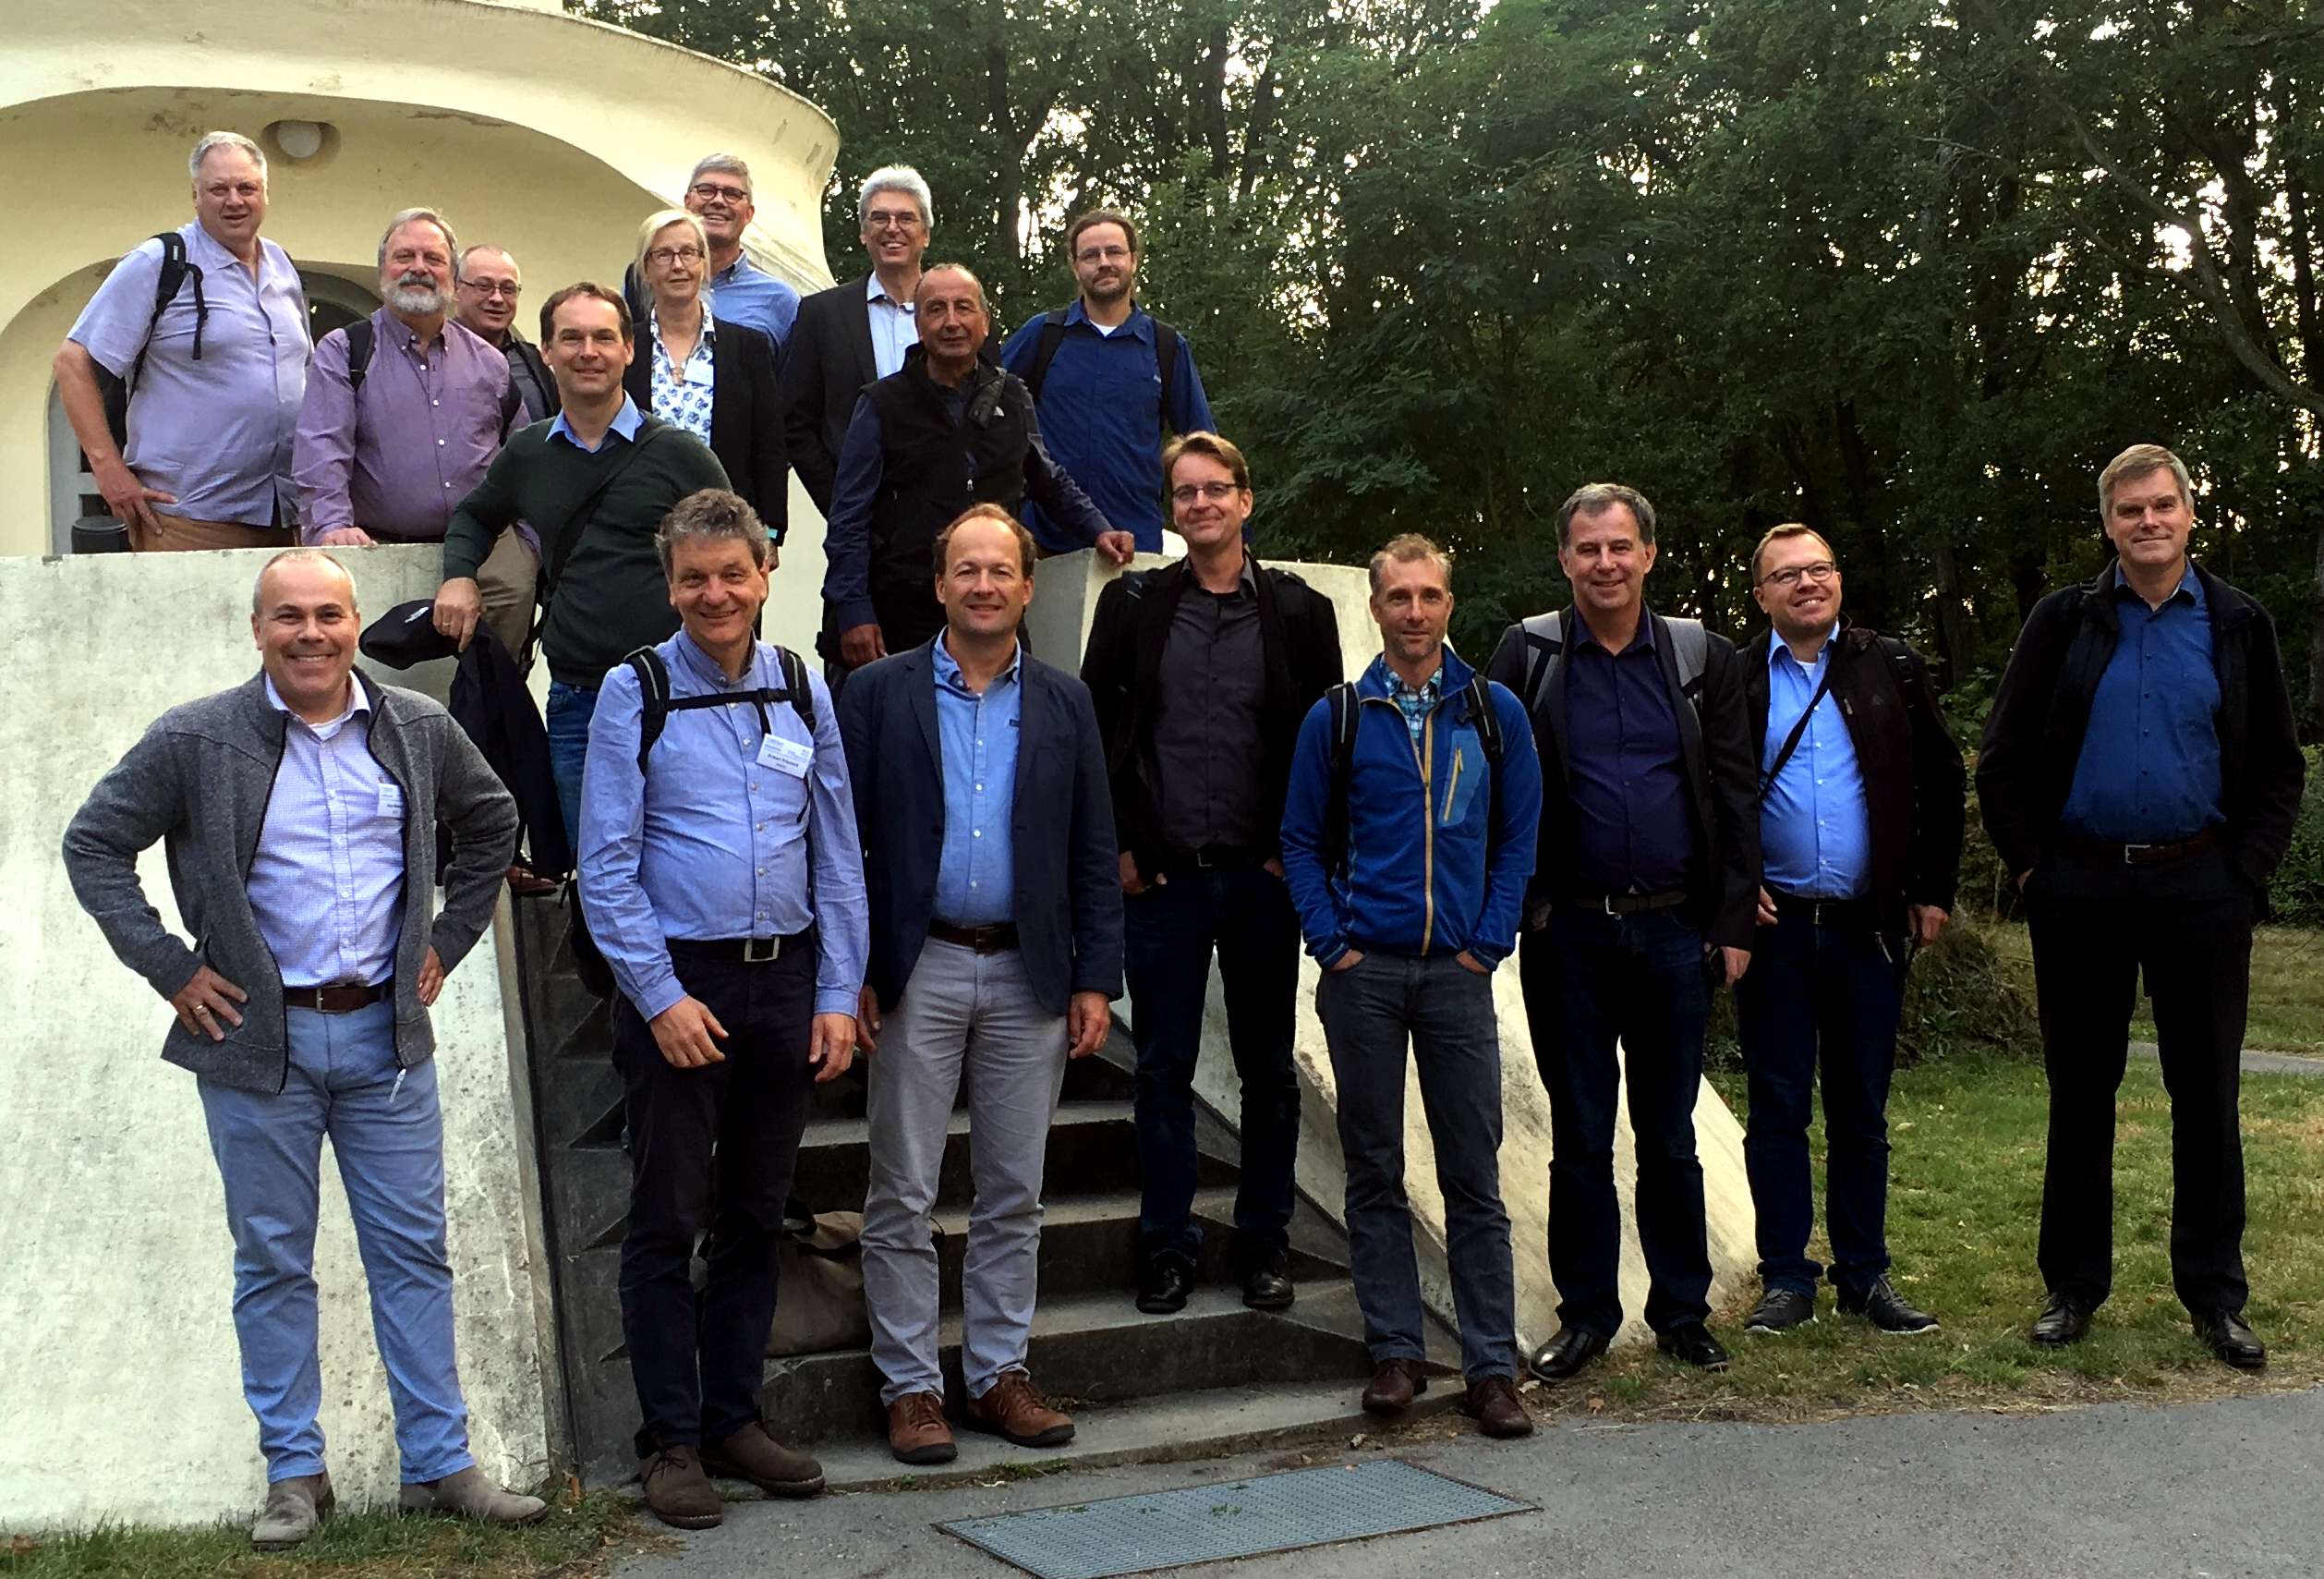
column 1203, row 673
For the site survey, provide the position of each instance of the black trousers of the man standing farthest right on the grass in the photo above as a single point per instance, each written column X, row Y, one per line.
column 2188, row 929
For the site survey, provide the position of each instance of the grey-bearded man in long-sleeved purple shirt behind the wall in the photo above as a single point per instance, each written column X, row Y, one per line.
column 406, row 413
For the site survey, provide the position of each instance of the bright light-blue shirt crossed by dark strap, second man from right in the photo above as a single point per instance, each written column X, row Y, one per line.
column 1814, row 824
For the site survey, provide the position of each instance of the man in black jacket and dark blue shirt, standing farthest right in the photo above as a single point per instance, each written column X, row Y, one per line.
column 2142, row 778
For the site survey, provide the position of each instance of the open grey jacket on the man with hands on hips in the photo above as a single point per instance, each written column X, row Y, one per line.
column 201, row 783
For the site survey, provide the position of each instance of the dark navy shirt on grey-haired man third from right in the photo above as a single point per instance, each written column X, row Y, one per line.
column 1628, row 769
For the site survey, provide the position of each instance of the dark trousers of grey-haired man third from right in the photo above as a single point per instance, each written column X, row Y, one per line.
column 1593, row 980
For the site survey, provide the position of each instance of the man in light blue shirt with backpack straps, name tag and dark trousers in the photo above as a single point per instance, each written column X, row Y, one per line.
column 724, row 885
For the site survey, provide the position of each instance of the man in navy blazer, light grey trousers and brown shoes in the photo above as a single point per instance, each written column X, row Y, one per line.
column 996, row 948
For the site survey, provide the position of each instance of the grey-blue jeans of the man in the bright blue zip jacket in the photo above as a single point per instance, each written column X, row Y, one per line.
column 1444, row 1010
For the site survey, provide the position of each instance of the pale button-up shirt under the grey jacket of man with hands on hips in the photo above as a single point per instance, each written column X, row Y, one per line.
column 329, row 878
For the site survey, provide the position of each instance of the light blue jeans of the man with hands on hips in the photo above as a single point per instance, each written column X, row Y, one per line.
column 389, row 1136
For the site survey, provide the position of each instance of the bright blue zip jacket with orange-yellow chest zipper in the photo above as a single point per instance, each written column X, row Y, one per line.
column 1440, row 845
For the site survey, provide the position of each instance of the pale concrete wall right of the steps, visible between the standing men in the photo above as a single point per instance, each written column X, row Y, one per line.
column 1061, row 620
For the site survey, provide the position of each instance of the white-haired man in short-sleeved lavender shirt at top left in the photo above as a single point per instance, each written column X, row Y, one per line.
column 182, row 378
